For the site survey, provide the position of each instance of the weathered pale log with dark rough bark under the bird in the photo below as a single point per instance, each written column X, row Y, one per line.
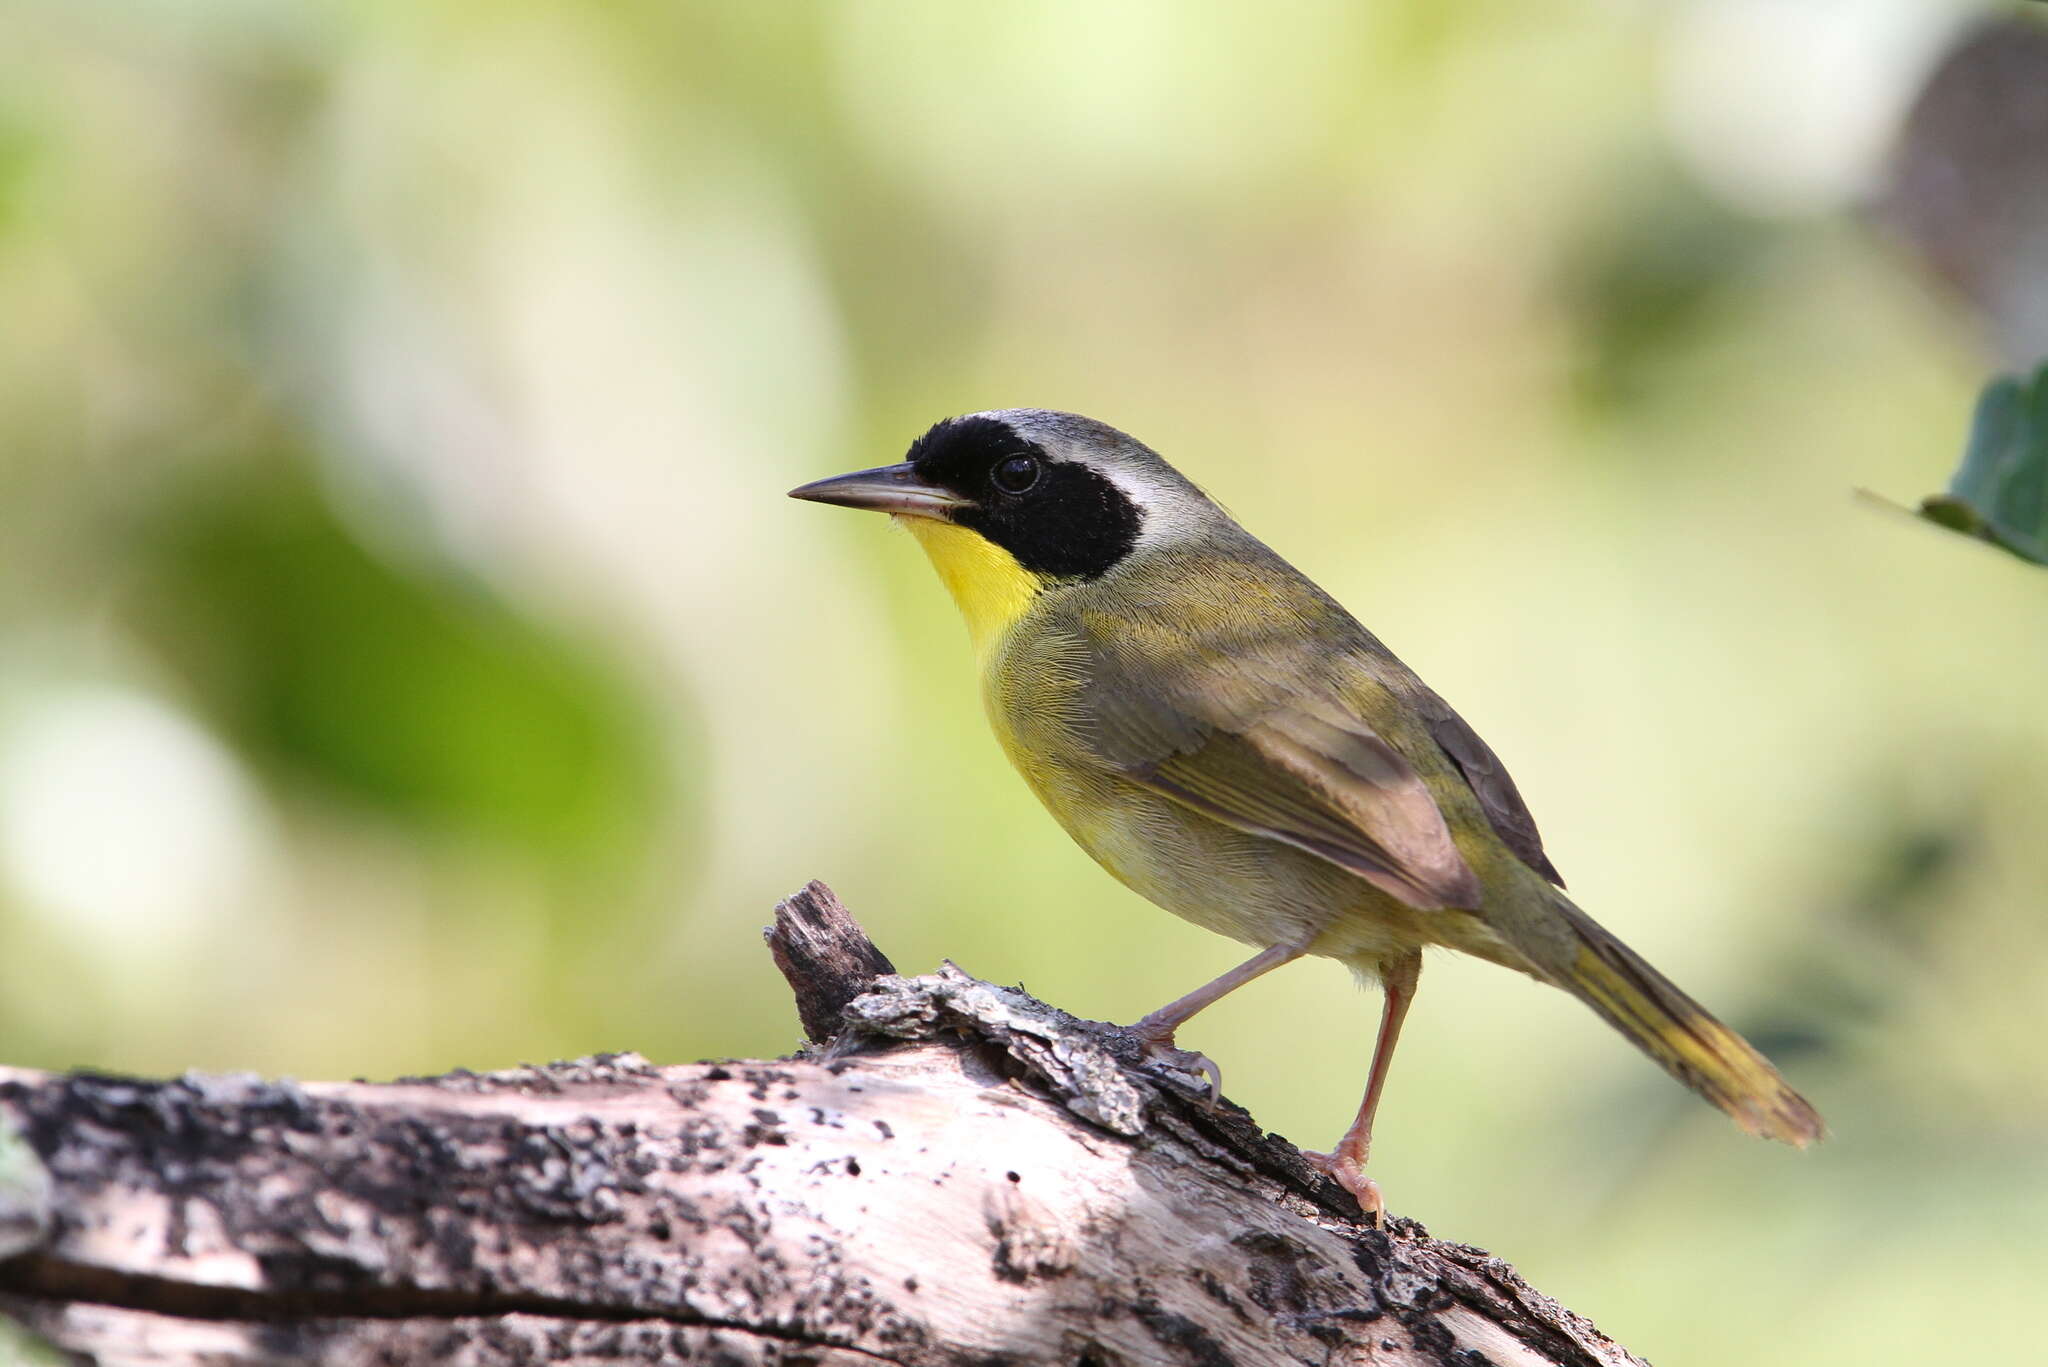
column 955, row 1173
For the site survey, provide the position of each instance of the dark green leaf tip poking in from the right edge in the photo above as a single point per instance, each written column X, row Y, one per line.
column 2000, row 493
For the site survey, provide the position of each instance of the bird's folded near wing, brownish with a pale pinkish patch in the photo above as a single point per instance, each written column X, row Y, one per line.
column 1299, row 770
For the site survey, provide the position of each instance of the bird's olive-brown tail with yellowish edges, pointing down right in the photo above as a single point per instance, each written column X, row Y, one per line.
column 1682, row 1036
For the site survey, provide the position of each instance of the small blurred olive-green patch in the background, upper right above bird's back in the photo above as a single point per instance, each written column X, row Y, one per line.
column 1648, row 280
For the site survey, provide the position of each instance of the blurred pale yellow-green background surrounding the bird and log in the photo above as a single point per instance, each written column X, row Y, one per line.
column 409, row 657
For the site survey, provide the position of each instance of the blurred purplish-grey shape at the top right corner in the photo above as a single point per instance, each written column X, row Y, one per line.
column 1969, row 183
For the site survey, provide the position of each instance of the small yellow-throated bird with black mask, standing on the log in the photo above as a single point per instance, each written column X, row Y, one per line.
column 1232, row 745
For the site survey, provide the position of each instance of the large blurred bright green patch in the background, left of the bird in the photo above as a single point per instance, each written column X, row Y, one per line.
column 402, row 688
